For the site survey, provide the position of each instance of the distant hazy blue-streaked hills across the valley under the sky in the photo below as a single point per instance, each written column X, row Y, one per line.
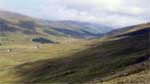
column 14, row 25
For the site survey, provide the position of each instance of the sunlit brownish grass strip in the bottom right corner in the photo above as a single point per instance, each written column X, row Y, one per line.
column 138, row 78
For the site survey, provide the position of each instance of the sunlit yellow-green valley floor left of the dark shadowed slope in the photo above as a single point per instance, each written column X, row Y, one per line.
column 27, row 53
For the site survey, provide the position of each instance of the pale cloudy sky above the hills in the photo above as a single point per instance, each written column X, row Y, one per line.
column 116, row 13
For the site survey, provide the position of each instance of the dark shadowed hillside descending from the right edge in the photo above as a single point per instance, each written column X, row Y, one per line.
column 116, row 56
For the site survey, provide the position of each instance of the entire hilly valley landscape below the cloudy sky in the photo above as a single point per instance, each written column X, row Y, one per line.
column 40, row 51
